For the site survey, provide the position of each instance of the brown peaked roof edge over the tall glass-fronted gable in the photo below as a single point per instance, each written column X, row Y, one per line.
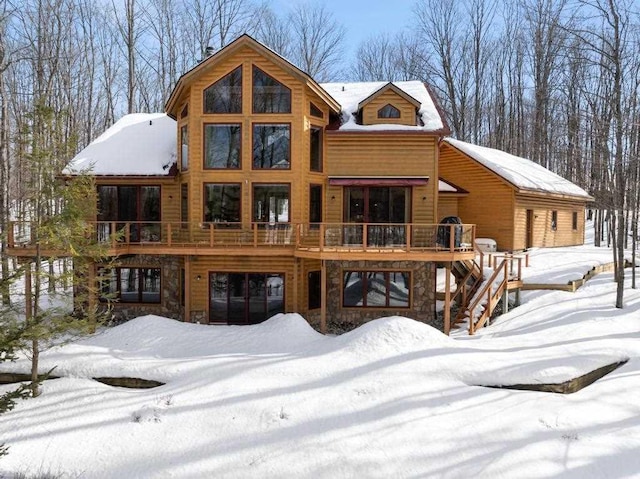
column 246, row 40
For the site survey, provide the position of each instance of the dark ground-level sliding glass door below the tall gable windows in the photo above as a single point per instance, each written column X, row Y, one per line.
column 245, row 298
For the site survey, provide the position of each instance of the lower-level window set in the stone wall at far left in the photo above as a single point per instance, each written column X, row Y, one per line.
column 130, row 285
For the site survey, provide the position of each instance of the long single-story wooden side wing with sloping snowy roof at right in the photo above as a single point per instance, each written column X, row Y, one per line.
column 518, row 203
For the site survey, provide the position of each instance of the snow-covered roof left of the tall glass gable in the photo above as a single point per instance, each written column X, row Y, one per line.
column 141, row 144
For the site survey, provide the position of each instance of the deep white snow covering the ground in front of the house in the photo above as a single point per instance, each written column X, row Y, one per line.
column 393, row 398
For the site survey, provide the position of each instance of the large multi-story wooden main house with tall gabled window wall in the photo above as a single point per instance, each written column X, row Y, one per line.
column 260, row 191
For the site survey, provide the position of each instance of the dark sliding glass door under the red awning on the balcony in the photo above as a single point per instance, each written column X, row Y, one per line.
column 386, row 209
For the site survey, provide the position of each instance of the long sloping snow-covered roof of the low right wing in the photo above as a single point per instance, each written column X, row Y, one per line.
column 520, row 172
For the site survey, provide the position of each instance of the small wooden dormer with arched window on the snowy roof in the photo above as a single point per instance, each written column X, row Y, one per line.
column 389, row 105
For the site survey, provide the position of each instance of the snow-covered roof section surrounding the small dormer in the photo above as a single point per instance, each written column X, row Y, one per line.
column 350, row 95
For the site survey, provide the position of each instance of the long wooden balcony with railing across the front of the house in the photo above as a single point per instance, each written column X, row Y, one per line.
column 352, row 241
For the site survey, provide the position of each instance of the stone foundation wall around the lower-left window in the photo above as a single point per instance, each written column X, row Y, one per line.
column 169, row 305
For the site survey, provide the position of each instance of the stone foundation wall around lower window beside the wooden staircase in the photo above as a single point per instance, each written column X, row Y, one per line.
column 423, row 295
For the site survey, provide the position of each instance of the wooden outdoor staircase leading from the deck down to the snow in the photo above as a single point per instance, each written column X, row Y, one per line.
column 477, row 297
